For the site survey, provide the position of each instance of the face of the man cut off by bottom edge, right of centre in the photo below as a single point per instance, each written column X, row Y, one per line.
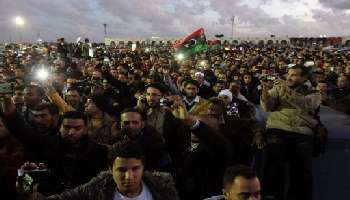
column 243, row 189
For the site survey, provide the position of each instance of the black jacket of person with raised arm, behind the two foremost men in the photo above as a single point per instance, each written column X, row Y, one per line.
column 205, row 165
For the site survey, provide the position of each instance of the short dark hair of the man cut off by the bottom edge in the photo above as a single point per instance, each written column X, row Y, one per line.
column 233, row 172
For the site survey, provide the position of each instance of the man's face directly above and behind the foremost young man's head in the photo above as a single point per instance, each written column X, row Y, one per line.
column 132, row 124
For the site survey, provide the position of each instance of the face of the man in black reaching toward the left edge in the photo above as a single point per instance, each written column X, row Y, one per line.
column 72, row 130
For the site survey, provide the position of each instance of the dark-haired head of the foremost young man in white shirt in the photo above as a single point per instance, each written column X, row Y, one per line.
column 127, row 161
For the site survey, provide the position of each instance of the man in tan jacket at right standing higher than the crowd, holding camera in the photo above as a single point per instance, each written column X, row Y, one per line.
column 293, row 106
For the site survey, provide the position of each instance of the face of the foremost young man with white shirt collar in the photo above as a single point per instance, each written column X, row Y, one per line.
column 127, row 174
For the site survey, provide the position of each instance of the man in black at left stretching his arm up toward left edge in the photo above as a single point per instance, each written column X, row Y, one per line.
column 67, row 154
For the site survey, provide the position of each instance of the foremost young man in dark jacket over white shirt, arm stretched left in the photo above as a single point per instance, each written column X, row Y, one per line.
column 125, row 179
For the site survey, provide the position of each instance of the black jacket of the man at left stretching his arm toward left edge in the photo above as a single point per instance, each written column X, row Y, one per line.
column 69, row 167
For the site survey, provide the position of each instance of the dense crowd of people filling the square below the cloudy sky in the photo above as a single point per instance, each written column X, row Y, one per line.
column 145, row 123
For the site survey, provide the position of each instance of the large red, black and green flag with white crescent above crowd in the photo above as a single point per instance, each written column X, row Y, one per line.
column 193, row 43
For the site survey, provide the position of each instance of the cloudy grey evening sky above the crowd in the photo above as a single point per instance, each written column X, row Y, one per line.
column 145, row 18
